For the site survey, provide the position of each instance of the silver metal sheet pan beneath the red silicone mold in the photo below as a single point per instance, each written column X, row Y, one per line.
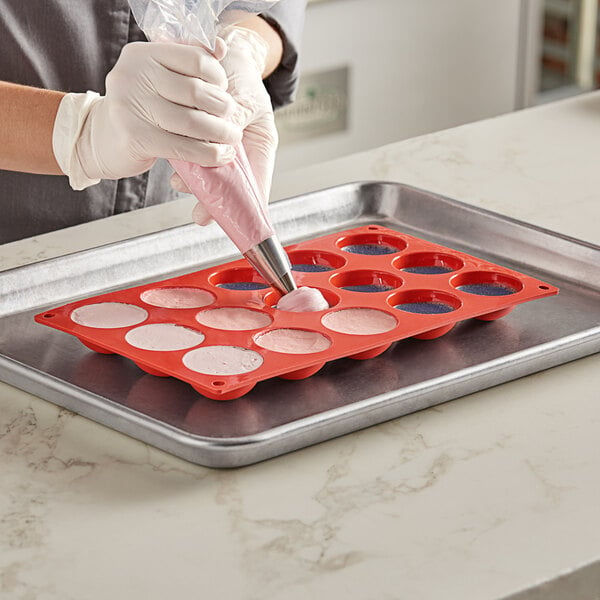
column 280, row 416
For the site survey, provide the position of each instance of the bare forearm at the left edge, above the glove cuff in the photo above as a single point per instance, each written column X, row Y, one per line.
column 26, row 122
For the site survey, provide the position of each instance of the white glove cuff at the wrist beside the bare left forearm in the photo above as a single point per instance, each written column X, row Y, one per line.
column 70, row 119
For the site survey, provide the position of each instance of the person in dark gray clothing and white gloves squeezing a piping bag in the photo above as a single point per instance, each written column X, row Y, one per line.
column 83, row 94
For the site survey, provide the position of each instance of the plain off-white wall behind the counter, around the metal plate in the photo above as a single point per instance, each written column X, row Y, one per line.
column 416, row 66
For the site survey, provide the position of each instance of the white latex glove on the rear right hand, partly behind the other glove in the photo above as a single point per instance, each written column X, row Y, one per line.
column 244, row 64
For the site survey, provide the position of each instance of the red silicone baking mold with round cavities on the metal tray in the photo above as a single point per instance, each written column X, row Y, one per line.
column 413, row 274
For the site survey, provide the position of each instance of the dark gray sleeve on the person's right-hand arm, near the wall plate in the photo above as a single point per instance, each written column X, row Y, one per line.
column 287, row 17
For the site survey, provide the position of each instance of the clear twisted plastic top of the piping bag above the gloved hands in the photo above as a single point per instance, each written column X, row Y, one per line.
column 195, row 22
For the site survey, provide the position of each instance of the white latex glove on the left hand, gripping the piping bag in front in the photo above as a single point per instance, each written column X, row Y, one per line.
column 162, row 100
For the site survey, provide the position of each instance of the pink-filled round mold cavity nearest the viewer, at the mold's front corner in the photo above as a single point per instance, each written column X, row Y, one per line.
column 222, row 360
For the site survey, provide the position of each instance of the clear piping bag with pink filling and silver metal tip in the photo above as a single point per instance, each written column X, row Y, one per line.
column 228, row 193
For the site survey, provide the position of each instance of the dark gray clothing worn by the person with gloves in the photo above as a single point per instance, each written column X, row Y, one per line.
column 71, row 45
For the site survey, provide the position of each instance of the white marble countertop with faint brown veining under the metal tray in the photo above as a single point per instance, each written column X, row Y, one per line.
column 478, row 499
